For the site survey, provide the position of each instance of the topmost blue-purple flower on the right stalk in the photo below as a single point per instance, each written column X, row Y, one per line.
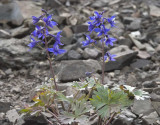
column 96, row 18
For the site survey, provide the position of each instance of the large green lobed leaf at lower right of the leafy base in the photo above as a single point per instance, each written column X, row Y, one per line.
column 107, row 101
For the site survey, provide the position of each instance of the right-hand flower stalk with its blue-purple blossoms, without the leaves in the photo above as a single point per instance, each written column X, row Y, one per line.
column 98, row 25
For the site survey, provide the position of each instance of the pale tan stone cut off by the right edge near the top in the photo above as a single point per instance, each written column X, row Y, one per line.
column 154, row 11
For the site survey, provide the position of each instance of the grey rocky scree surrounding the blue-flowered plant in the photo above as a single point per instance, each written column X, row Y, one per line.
column 137, row 49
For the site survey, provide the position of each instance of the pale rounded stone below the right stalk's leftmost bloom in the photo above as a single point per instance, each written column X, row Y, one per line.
column 90, row 53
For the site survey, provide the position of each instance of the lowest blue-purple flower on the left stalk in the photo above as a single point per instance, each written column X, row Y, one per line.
column 55, row 50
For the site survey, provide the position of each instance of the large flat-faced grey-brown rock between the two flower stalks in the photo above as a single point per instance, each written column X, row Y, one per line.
column 75, row 69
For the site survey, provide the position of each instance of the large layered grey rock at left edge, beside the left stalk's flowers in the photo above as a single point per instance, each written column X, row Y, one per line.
column 15, row 53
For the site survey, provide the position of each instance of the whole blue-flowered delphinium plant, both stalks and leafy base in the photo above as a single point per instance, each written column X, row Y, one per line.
column 92, row 99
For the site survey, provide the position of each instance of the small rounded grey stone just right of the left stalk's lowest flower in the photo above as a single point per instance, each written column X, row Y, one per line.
column 72, row 54
